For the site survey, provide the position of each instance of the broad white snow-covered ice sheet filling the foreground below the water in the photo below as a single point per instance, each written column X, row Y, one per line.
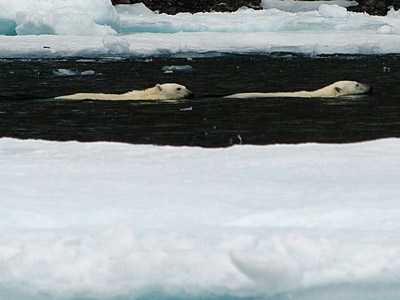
column 111, row 220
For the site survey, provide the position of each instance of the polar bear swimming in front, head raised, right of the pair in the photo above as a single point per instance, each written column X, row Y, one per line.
column 337, row 89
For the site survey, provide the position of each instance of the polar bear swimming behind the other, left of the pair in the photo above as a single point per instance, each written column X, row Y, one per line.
column 165, row 91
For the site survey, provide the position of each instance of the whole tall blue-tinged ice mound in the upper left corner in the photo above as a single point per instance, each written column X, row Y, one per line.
column 64, row 17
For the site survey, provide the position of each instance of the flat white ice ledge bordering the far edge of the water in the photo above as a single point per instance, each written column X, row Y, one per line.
column 203, row 44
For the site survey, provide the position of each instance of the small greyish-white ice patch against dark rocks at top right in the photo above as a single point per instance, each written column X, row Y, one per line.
column 302, row 6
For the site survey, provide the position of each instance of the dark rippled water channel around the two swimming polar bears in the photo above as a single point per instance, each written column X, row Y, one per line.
column 206, row 120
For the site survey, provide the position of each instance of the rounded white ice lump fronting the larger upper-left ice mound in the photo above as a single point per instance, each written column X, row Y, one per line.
column 63, row 21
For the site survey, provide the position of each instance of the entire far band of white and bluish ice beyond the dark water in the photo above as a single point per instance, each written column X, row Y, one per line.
column 37, row 28
